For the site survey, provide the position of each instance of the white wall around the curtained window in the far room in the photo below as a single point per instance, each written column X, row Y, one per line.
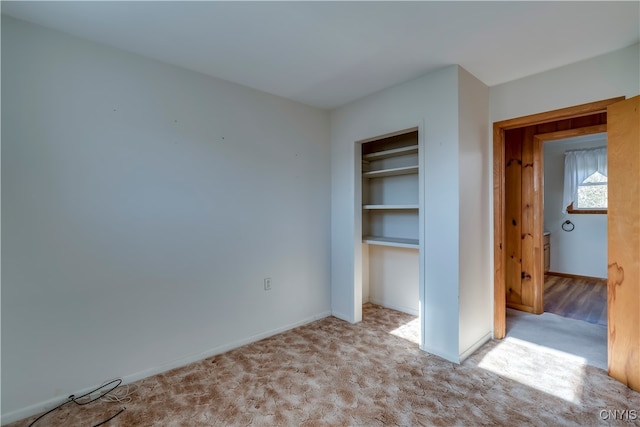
column 582, row 251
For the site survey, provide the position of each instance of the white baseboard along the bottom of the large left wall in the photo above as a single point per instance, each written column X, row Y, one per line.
column 48, row 404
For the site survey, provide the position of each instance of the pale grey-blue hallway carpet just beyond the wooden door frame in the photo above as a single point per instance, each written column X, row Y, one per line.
column 587, row 341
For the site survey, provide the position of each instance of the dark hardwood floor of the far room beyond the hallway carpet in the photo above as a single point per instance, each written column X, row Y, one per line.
column 582, row 299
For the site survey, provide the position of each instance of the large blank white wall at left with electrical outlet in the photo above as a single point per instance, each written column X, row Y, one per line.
column 142, row 206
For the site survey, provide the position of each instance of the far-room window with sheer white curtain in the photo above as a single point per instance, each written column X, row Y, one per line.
column 585, row 181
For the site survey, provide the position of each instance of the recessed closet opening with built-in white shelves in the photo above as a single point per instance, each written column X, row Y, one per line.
column 389, row 196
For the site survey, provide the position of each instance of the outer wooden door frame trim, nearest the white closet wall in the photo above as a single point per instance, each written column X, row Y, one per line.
column 499, row 231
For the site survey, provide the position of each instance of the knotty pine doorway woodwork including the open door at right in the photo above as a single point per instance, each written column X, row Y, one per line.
column 518, row 257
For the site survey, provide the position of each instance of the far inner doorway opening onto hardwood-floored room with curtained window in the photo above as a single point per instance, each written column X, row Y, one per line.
column 575, row 272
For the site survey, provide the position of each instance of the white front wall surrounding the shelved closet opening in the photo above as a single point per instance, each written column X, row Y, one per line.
column 432, row 103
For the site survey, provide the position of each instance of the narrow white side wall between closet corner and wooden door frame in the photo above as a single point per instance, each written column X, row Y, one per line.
column 476, row 288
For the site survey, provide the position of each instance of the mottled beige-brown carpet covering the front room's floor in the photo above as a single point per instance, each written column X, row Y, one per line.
column 333, row 373
